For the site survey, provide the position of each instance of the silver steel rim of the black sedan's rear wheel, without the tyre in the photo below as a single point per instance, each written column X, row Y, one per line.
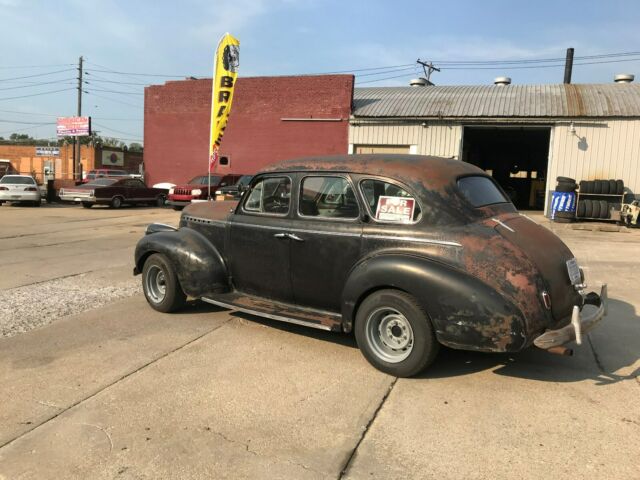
column 389, row 334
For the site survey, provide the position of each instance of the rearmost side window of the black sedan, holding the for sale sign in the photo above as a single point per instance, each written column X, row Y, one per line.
column 389, row 203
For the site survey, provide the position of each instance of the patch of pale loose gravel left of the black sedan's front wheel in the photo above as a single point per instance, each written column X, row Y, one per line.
column 25, row 308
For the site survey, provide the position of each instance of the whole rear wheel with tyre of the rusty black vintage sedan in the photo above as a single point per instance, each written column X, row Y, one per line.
column 395, row 334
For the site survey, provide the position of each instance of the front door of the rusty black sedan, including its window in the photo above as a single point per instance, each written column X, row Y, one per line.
column 258, row 239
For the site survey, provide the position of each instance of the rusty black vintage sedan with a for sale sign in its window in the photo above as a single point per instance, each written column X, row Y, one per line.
column 407, row 252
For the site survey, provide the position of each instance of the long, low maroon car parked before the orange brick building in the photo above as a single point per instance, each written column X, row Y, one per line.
column 113, row 192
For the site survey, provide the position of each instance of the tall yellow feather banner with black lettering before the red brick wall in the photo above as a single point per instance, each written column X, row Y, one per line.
column 226, row 63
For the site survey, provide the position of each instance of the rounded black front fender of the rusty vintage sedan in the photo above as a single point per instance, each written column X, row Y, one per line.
column 199, row 266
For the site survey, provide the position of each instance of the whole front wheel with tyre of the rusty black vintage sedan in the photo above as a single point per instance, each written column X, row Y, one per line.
column 160, row 284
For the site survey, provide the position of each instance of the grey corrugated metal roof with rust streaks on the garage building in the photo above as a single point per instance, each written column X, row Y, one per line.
column 562, row 100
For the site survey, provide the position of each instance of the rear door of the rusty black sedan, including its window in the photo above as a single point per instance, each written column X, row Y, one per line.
column 326, row 236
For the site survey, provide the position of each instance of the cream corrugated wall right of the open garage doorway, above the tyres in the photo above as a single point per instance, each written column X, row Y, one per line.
column 598, row 150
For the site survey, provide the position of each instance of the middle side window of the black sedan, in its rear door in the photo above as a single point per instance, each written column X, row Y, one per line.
column 327, row 197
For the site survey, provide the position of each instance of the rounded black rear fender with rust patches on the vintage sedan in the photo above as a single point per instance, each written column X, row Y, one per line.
column 466, row 313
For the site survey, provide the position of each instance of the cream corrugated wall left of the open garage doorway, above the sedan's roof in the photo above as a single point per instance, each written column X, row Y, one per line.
column 440, row 139
